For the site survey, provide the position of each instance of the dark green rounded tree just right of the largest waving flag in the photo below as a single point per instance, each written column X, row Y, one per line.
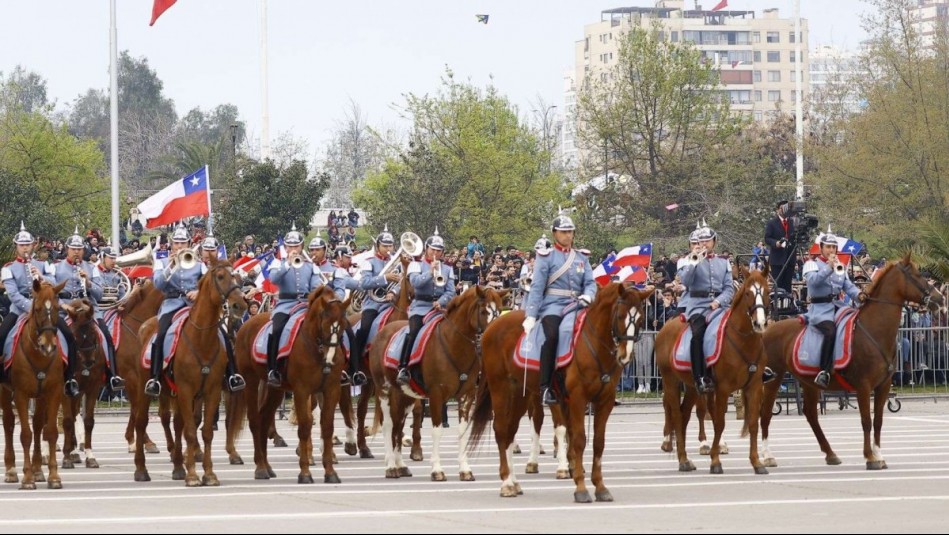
column 265, row 199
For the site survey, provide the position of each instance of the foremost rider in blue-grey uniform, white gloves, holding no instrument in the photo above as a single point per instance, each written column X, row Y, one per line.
column 562, row 276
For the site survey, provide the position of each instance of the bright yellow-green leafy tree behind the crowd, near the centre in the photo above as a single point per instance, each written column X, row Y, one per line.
column 471, row 167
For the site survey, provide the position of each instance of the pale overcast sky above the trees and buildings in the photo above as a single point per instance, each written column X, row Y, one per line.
column 324, row 54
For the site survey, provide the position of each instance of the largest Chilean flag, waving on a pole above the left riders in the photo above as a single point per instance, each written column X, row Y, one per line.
column 183, row 198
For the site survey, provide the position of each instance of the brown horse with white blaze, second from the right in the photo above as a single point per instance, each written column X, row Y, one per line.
column 739, row 366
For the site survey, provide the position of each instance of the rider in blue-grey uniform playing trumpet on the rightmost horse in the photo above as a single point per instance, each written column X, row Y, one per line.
column 824, row 285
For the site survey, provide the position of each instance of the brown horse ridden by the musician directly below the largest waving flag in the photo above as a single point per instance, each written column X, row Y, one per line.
column 196, row 372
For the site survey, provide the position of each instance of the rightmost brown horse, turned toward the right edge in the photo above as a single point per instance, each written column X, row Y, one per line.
column 871, row 366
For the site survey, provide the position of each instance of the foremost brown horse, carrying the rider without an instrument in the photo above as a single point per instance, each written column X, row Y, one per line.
column 613, row 323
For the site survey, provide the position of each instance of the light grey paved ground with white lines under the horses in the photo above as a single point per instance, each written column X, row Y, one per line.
column 801, row 495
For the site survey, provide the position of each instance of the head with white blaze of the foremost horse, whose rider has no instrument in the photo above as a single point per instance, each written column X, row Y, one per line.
column 625, row 306
